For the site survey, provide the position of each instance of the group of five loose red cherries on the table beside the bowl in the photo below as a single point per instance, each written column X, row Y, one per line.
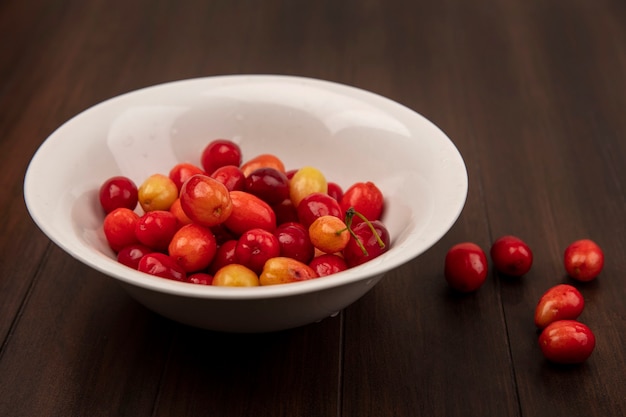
column 562, row 338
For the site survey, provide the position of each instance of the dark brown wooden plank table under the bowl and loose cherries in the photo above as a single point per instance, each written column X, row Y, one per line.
column 533, row 93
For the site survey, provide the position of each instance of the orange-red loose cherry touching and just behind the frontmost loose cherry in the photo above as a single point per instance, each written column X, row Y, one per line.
column 561, row 302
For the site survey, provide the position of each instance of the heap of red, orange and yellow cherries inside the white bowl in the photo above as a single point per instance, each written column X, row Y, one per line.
column 227, row 222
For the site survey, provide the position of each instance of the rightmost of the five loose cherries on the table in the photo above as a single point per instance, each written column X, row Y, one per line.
column 584, row 260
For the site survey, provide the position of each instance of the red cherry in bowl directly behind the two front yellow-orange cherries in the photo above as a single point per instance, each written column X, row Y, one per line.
column 255, row 247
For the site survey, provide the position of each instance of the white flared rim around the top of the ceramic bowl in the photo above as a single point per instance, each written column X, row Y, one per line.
column 367, row 271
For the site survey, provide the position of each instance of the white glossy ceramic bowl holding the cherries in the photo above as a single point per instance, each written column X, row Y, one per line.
column 349, row 134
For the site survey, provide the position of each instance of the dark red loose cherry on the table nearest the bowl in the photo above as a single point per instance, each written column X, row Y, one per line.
column 465, row 267
